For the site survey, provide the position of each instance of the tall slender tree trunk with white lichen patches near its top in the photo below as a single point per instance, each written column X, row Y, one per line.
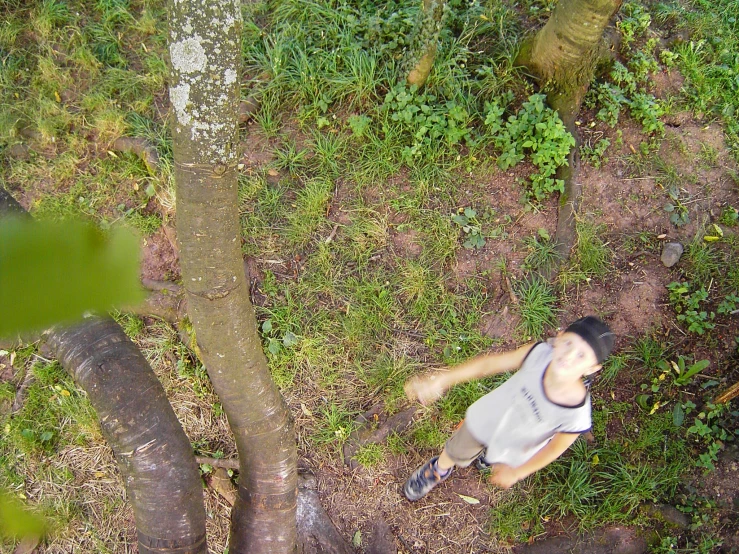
column 205, row 56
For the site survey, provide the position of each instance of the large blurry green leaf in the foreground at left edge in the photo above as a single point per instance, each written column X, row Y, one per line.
column 55, row 272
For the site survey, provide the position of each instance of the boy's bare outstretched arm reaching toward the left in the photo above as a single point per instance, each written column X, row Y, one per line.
column 428, row 388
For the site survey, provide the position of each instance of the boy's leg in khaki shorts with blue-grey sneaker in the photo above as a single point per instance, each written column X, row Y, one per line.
column 461, row 449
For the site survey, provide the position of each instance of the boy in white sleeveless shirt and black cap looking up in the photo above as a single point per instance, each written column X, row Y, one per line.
column 528, row 421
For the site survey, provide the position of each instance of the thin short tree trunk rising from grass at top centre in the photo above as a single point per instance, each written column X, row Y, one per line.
column 422, row 51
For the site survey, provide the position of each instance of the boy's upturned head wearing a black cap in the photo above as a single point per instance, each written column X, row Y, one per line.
column 583, row 346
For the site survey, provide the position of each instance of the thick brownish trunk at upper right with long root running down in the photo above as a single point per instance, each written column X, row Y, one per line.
column 563, row 57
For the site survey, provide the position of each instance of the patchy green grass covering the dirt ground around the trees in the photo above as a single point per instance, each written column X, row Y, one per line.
column 393, row 292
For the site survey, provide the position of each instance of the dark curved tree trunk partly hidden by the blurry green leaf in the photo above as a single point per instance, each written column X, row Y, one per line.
column 154, row 454
